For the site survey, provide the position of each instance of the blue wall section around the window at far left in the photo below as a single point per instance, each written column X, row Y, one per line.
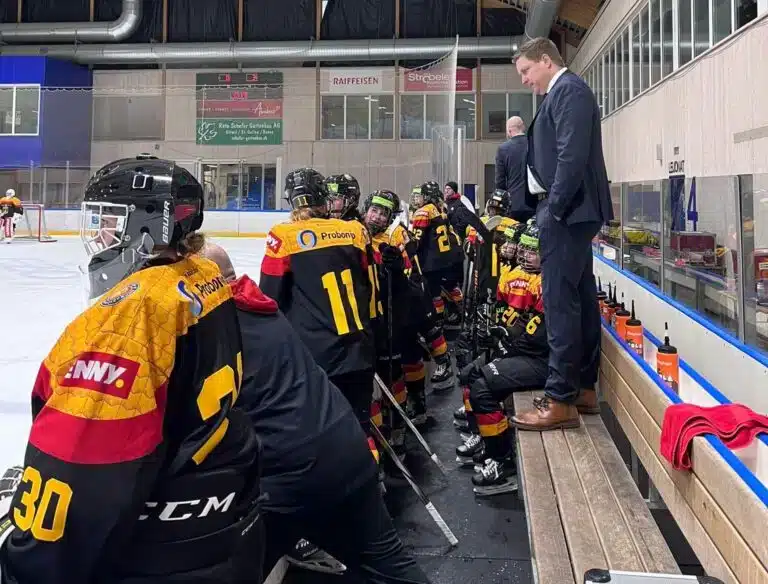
column 65, row 115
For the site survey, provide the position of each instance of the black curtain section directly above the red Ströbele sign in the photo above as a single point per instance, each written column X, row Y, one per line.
column 437, row 18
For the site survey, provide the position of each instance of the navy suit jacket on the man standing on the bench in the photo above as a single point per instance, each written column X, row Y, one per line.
column 565, row 153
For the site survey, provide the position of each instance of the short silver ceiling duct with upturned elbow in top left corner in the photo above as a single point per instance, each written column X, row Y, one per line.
column 63, row 32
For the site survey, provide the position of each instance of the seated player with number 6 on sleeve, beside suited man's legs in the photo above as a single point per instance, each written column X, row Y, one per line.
column 522, row 366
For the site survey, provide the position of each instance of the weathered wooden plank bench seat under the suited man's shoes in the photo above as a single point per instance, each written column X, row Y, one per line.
column 583, row 508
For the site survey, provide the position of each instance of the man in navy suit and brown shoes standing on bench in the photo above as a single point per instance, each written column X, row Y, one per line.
column 566, row 173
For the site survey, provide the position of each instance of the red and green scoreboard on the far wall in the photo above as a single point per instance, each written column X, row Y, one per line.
column 242, row 108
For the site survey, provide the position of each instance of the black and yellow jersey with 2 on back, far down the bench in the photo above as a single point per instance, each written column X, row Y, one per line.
column 437, row 247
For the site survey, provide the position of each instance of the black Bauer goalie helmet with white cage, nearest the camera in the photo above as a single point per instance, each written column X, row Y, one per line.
column 133, row 211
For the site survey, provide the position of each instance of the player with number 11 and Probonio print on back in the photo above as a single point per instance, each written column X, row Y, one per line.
column 317, row 270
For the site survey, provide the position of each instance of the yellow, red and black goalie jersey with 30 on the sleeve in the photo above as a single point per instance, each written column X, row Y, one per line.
column 136, row 395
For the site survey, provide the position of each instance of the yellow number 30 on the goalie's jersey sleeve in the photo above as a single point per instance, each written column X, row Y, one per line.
column 34, row 509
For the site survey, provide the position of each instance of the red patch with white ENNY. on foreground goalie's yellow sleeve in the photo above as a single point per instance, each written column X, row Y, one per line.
column 102, row 372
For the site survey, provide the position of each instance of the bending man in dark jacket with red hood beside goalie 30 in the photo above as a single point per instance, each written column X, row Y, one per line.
column 317, row 473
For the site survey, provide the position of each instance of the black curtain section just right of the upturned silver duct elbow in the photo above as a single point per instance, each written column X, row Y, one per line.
column 202, row 21
